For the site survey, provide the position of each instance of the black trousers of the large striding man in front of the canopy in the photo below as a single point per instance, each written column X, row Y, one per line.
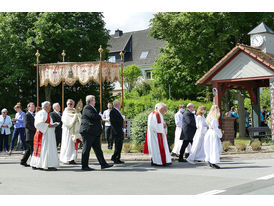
column 94, row 142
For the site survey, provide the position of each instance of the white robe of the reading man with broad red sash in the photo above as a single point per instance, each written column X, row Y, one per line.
column 48, row 154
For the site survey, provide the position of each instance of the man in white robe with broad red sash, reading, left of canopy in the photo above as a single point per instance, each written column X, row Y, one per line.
column 45, row 154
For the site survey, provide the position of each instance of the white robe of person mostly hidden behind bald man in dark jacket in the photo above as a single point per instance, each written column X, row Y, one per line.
column 177, row 142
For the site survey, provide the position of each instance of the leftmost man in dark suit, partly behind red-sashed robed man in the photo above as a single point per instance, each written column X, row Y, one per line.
column 30, row 132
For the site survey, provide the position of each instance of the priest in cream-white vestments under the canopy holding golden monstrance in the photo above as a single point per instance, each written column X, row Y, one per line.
column 71, row 119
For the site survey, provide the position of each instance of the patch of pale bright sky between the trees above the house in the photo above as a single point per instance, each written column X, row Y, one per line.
column 127, row 21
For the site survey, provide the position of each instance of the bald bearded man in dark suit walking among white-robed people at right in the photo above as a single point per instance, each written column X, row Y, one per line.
column 188, row 129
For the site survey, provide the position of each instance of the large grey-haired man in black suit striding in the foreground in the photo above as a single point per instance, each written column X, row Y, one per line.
column 91, row 129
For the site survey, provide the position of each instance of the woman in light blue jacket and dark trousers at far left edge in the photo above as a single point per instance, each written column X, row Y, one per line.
column 5, row 125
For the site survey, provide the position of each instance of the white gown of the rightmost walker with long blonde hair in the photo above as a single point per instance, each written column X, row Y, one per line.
column 212, row 144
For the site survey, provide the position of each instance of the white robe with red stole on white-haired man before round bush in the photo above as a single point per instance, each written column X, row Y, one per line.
column 154, row 146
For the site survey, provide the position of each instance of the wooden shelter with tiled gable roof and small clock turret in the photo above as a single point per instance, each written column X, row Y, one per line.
column 246, row 67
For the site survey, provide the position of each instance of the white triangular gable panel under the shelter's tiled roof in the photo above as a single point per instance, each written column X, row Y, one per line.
column 242, row 66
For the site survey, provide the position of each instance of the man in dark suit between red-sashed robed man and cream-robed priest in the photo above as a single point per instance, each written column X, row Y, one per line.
column 57, row 117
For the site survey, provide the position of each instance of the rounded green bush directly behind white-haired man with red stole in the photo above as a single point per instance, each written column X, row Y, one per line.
column 139, row 127
